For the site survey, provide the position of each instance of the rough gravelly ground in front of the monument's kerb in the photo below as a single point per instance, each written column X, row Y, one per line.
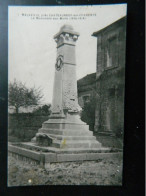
column 100, row 172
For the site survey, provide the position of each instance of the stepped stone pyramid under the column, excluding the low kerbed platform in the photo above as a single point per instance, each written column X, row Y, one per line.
column 66, row 133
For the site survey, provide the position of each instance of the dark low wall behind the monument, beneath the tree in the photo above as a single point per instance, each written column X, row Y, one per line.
column 24, row 126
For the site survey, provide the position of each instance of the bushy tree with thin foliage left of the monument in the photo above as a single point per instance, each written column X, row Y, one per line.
column 20, row 95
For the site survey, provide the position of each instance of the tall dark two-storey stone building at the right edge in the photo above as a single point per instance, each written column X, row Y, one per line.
column 110, row 78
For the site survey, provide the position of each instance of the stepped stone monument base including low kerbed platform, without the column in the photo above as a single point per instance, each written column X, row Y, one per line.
column 61, row 140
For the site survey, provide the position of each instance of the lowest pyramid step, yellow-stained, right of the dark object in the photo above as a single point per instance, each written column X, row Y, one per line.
column 76, row 144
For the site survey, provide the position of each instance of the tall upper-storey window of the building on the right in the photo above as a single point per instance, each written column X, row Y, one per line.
column 112, row 52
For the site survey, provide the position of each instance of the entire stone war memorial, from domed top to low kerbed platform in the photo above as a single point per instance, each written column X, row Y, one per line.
column 64, row 137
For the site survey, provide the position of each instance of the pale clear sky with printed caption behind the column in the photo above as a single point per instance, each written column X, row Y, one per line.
column 32, row 50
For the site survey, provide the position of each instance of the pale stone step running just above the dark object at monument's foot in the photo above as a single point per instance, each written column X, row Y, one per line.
column 66, row 132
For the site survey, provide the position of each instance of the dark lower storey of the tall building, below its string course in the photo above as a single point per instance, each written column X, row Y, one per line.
column 110, row 106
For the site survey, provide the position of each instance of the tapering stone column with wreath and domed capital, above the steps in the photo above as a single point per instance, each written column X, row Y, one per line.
column 65, row 99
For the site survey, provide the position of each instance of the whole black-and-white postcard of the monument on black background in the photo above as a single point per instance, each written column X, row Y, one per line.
column 66, row 90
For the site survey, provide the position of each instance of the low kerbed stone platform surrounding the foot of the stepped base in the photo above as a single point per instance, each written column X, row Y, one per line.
column 43, row 156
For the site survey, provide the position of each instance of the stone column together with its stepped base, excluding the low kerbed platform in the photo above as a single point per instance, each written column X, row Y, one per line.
column 64, row 129
